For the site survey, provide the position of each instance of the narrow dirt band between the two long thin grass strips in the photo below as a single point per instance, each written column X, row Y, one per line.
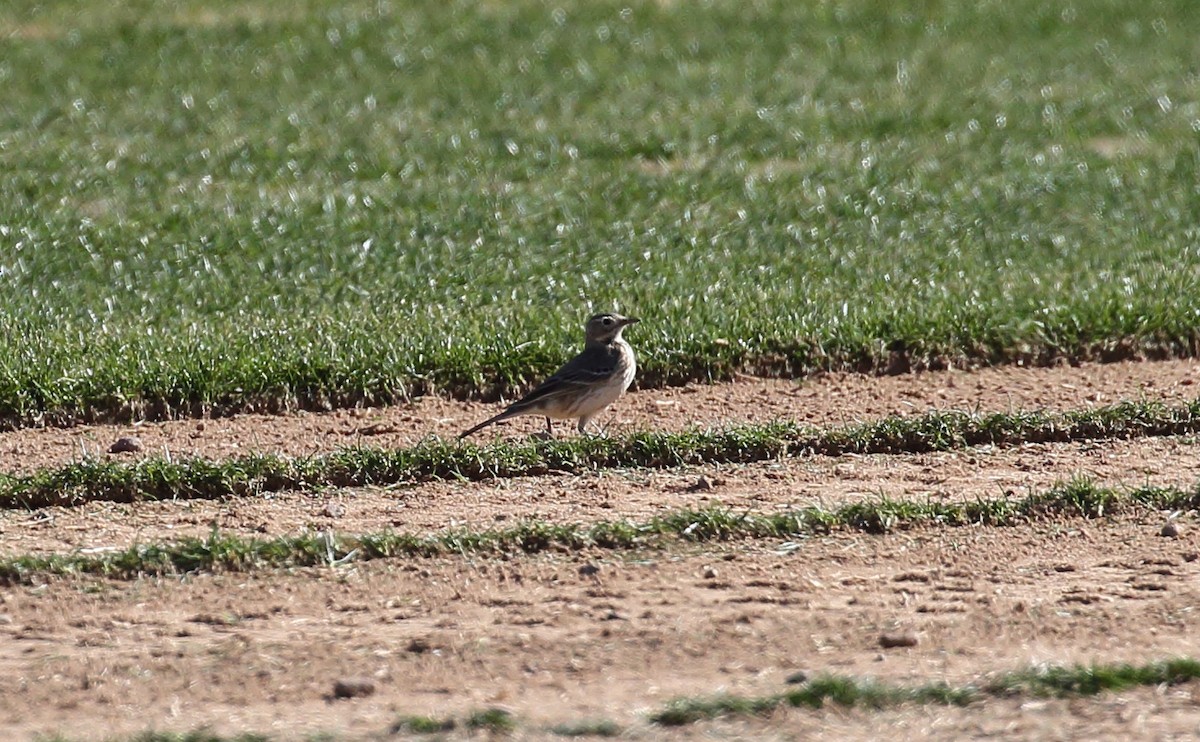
column 959, row 476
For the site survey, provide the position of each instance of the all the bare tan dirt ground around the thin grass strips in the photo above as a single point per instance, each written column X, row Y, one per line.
column 553, row 644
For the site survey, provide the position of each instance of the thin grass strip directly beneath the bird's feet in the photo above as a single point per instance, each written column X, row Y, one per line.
column 160, row 478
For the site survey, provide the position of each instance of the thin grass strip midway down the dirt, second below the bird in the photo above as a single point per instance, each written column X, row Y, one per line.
column 224, row 553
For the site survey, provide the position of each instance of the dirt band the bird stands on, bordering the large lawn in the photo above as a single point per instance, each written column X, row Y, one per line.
column 829, row 400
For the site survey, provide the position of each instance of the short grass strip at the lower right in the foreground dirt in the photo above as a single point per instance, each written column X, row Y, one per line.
column 850, row 692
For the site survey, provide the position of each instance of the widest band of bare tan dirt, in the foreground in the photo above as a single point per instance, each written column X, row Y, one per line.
column 563, row 638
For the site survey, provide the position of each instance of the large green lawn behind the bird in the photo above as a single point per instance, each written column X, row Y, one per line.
column 211, row 206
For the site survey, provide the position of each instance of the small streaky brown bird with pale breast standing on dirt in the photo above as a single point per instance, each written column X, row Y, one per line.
column 587, row 384
